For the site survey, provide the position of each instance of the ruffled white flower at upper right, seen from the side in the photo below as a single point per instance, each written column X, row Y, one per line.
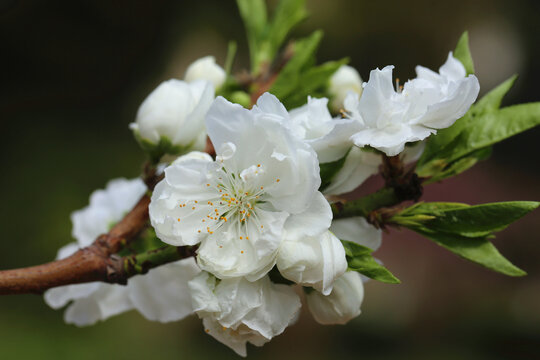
column 389, row 119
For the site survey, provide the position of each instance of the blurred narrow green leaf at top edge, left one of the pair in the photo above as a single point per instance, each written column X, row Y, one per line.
column 253, row 13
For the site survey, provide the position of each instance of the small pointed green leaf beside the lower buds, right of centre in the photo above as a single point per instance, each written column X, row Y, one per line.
column 359, row 259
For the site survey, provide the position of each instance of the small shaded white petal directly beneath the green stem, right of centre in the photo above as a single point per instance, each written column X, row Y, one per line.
column 358, row 230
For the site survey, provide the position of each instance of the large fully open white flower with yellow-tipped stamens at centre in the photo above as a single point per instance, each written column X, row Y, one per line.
column 263, row 182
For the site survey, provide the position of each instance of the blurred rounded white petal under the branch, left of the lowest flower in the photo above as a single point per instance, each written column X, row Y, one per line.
column 163, row 294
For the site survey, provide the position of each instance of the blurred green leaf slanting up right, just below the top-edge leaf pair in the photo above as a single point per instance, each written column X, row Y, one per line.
column 289, row 77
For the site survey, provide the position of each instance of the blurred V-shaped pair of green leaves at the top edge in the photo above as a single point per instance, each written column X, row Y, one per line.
column 265, row 37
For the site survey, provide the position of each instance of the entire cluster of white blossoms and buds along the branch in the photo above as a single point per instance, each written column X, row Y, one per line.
column 257, row 209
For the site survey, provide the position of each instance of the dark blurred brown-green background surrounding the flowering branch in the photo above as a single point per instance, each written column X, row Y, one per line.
column 72, row 76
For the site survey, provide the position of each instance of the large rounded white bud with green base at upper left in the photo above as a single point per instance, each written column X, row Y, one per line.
column 173, row 115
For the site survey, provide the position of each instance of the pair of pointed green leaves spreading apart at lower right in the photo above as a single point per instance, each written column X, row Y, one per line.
column 465, row 229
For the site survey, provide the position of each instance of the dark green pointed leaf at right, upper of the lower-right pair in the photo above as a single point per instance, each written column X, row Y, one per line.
column 469, row 221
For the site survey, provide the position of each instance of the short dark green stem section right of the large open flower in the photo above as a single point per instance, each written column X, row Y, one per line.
column 385, row 197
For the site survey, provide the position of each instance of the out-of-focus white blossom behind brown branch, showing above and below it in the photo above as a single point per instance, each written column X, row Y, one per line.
column 159, row 295
